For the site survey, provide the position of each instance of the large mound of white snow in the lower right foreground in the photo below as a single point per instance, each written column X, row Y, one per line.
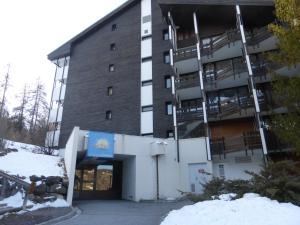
column 249, row 210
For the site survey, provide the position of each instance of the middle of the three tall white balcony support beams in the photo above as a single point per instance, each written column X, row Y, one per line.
column 200, row 71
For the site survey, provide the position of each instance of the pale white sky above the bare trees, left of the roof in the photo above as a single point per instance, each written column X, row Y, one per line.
column 31, row 29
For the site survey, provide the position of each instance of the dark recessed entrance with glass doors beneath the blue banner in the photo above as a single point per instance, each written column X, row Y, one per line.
column 98, row 181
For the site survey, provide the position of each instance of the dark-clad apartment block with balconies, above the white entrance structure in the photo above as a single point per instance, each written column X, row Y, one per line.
column 174, row 69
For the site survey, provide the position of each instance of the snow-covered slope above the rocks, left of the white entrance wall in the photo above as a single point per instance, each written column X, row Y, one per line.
column 26, row 162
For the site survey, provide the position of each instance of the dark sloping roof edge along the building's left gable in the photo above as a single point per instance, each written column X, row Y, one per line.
column 65, row 49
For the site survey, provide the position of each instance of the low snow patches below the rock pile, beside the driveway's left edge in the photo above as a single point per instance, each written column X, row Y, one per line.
column 17, row 201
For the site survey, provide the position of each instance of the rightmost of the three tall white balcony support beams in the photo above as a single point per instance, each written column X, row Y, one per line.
column 251, row 81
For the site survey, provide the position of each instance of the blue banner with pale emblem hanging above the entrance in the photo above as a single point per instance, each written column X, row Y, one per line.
column 101, row 145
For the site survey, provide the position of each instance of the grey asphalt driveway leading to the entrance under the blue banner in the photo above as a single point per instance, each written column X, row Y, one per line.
column 122, row 212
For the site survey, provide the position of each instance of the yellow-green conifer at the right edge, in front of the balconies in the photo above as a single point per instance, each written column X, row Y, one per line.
column 287, row 89
